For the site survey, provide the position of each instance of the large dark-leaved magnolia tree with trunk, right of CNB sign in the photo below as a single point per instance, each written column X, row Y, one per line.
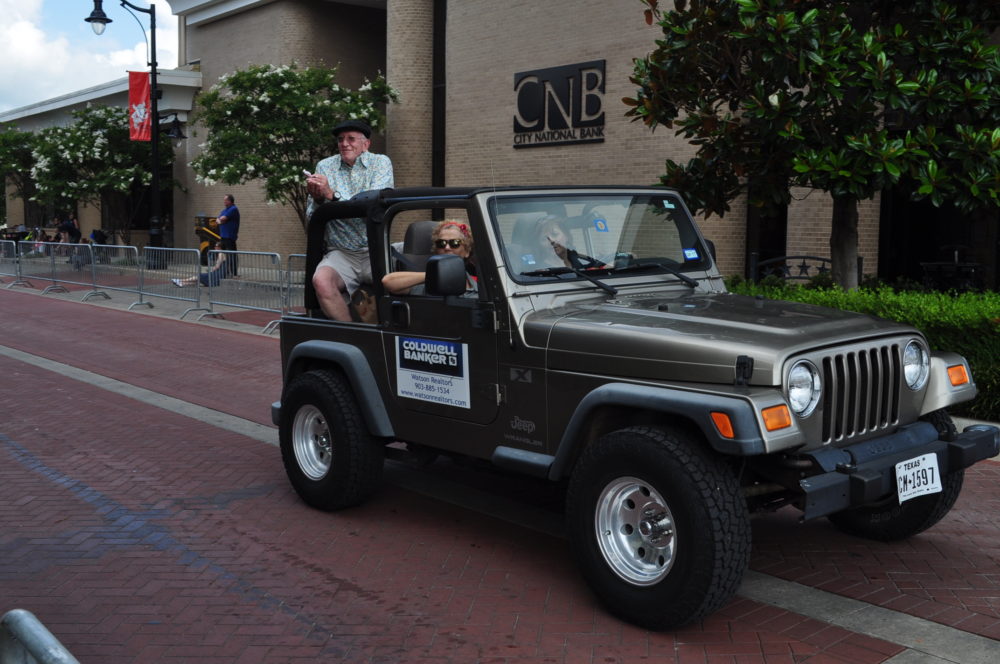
column 846, row 97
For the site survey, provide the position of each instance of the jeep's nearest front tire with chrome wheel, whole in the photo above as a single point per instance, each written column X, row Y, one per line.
column 659, row 526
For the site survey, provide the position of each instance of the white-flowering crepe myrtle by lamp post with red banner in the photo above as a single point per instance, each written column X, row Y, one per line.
column 92, row 160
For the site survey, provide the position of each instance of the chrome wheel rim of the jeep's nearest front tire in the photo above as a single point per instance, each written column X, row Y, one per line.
column 635, row 531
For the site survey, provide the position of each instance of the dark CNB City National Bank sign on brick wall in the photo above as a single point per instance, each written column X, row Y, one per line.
column 559, row 105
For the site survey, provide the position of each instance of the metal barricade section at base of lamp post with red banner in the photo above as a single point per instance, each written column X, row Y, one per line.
column 161, row 269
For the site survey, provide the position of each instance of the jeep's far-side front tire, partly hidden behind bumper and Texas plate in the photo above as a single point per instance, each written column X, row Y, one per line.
column 890, row 521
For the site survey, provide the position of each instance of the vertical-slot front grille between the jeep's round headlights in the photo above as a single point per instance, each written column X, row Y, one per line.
column 861, row 392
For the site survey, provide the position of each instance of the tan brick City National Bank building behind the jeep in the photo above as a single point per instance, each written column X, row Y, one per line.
column 475, row 81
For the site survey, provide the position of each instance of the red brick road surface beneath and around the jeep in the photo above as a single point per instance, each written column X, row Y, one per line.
column 140, row 535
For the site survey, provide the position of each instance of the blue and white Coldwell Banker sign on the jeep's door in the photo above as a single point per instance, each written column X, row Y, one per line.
column 435, row 371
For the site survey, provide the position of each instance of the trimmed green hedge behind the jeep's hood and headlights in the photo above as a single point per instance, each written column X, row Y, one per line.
column 964, row 323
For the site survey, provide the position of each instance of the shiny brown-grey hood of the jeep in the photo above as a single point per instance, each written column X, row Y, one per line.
column 692, row 338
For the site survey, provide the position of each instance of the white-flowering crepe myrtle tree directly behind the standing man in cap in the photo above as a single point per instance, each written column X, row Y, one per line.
column 271, row 122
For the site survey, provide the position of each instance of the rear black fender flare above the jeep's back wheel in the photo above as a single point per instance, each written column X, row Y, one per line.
column 352, row 361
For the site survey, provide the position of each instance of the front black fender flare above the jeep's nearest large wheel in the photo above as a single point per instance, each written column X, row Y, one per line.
column 692, row 405
